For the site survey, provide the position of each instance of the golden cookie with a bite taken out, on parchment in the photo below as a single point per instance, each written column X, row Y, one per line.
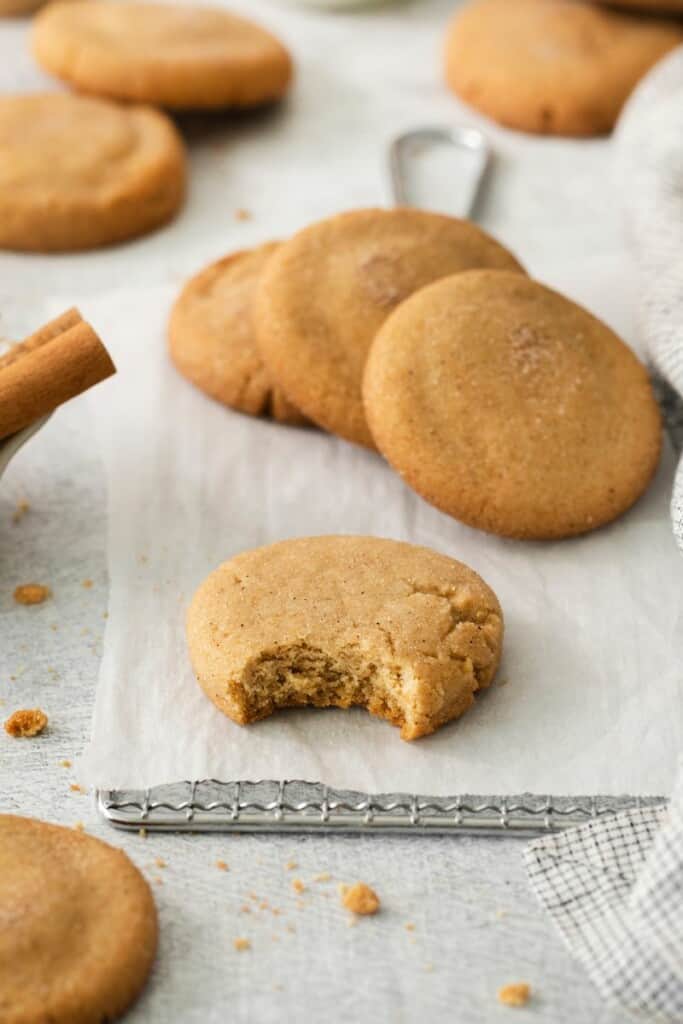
column 403, row 631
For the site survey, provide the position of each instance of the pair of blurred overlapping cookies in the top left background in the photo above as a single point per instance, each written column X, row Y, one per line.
column 82, row 172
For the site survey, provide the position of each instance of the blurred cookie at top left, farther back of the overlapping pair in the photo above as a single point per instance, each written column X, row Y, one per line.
column 180, row 57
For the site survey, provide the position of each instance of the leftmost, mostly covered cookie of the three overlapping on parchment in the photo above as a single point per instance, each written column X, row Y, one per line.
column 211, row 337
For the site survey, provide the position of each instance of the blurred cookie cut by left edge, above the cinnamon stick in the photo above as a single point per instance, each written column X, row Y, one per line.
column 76, row 174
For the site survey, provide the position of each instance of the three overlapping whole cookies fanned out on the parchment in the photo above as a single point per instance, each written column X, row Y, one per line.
column 499, row 401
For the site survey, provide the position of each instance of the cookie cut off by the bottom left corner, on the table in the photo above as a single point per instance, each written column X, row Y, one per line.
column 78, row 926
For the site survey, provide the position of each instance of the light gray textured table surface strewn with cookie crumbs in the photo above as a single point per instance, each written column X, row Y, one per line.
column 477, row 924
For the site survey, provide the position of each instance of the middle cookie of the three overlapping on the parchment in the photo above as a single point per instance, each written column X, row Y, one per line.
column 328, row 290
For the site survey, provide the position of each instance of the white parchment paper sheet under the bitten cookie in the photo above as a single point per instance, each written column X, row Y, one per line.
column 589, row 694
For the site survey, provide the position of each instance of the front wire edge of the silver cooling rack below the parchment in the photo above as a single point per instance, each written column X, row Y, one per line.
column 309, row 807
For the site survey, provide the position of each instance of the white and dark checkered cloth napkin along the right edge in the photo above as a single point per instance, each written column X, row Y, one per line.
column 615, row 887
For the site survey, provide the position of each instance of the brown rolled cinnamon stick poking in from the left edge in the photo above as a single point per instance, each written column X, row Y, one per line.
column 59, row 362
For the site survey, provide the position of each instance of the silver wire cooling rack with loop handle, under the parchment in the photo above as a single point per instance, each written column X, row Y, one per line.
column 307, row 807
